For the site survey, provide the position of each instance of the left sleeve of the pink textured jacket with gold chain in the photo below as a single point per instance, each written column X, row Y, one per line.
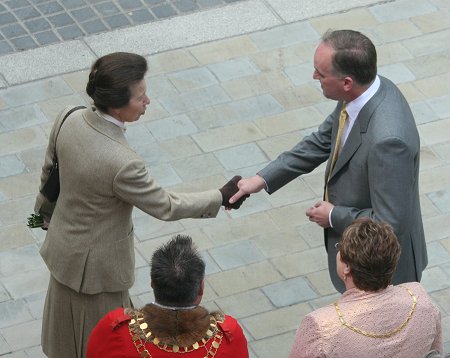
column 308, row 340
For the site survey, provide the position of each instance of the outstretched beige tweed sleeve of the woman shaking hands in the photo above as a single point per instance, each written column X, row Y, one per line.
column 134, row 185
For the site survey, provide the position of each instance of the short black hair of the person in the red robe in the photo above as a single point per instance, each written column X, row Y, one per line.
column 177, row 270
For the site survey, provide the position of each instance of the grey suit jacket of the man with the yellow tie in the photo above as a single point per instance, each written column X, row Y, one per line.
column 376, row 175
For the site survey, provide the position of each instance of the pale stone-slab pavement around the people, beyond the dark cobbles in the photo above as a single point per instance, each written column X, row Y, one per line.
column 231, row 87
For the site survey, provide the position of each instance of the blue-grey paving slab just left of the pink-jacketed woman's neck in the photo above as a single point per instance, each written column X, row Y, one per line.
column 289, row 292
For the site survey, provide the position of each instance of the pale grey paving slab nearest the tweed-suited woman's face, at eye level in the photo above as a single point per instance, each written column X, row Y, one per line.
column 204, row 97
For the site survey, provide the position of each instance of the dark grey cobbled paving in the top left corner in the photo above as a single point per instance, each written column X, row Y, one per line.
column 27, row 24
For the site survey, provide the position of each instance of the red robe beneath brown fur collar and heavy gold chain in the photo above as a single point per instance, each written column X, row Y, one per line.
column 111, row 338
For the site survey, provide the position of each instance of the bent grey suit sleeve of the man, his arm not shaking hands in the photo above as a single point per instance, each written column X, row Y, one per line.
column 392, row 178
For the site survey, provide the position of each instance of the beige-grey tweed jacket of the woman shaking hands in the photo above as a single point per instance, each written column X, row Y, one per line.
column 89, row 243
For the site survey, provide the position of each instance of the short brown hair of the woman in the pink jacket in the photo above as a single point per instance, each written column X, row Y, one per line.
column 372, row 251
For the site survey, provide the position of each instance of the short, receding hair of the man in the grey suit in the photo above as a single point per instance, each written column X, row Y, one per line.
column 355, row 55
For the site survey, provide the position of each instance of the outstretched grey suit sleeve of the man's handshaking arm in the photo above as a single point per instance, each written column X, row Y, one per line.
column 307, row 155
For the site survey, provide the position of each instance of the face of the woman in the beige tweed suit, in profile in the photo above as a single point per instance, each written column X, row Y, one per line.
column 137, row 104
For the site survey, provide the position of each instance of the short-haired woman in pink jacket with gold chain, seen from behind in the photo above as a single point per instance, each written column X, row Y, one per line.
column 372, row 318
